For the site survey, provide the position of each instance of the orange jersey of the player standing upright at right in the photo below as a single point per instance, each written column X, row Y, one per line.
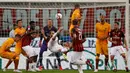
column 102, row 30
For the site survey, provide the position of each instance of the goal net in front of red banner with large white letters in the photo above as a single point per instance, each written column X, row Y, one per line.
column 39, row 12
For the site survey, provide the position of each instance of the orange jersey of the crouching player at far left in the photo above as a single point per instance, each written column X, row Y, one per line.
column 6, row 45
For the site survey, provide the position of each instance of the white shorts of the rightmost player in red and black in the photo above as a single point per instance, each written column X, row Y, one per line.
column 116, row 49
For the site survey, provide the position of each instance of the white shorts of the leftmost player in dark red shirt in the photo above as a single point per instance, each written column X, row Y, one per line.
column 30, row 51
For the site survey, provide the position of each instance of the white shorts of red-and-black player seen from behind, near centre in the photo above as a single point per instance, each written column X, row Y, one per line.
column 76, row 56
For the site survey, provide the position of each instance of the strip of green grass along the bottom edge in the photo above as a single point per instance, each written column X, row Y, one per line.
column 64, row 71
